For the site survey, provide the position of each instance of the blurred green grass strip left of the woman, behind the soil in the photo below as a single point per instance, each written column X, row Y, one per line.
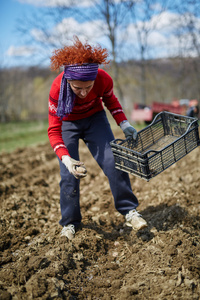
column 22, row 134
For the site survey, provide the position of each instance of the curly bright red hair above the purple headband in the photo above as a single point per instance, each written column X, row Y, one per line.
column 78, row 53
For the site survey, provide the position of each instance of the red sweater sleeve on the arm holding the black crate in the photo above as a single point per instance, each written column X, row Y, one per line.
column 110, row 100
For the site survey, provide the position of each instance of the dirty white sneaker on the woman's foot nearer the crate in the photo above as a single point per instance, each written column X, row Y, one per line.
column 134, row 220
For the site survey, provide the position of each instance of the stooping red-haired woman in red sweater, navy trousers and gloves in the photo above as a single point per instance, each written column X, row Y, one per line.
column 76, row 112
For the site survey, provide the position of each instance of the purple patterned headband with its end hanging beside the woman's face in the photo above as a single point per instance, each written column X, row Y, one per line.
column 66, row 98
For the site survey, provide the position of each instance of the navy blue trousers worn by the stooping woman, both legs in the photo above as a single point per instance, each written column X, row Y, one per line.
column 95, row 131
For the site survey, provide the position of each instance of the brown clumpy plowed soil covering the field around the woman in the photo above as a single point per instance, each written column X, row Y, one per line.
column 105, row 260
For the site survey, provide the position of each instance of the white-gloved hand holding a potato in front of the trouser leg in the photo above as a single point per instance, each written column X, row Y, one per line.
column 75, row 167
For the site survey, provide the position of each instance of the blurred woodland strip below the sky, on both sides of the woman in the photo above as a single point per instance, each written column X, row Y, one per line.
column 24, row 91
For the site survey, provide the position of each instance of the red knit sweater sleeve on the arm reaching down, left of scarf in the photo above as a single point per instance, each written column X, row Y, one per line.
column 54, row 129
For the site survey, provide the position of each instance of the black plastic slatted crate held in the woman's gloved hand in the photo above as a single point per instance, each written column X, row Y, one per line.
column 166, row 140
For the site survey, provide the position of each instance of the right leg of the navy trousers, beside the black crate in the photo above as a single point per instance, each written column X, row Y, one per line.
column 98, row 141
